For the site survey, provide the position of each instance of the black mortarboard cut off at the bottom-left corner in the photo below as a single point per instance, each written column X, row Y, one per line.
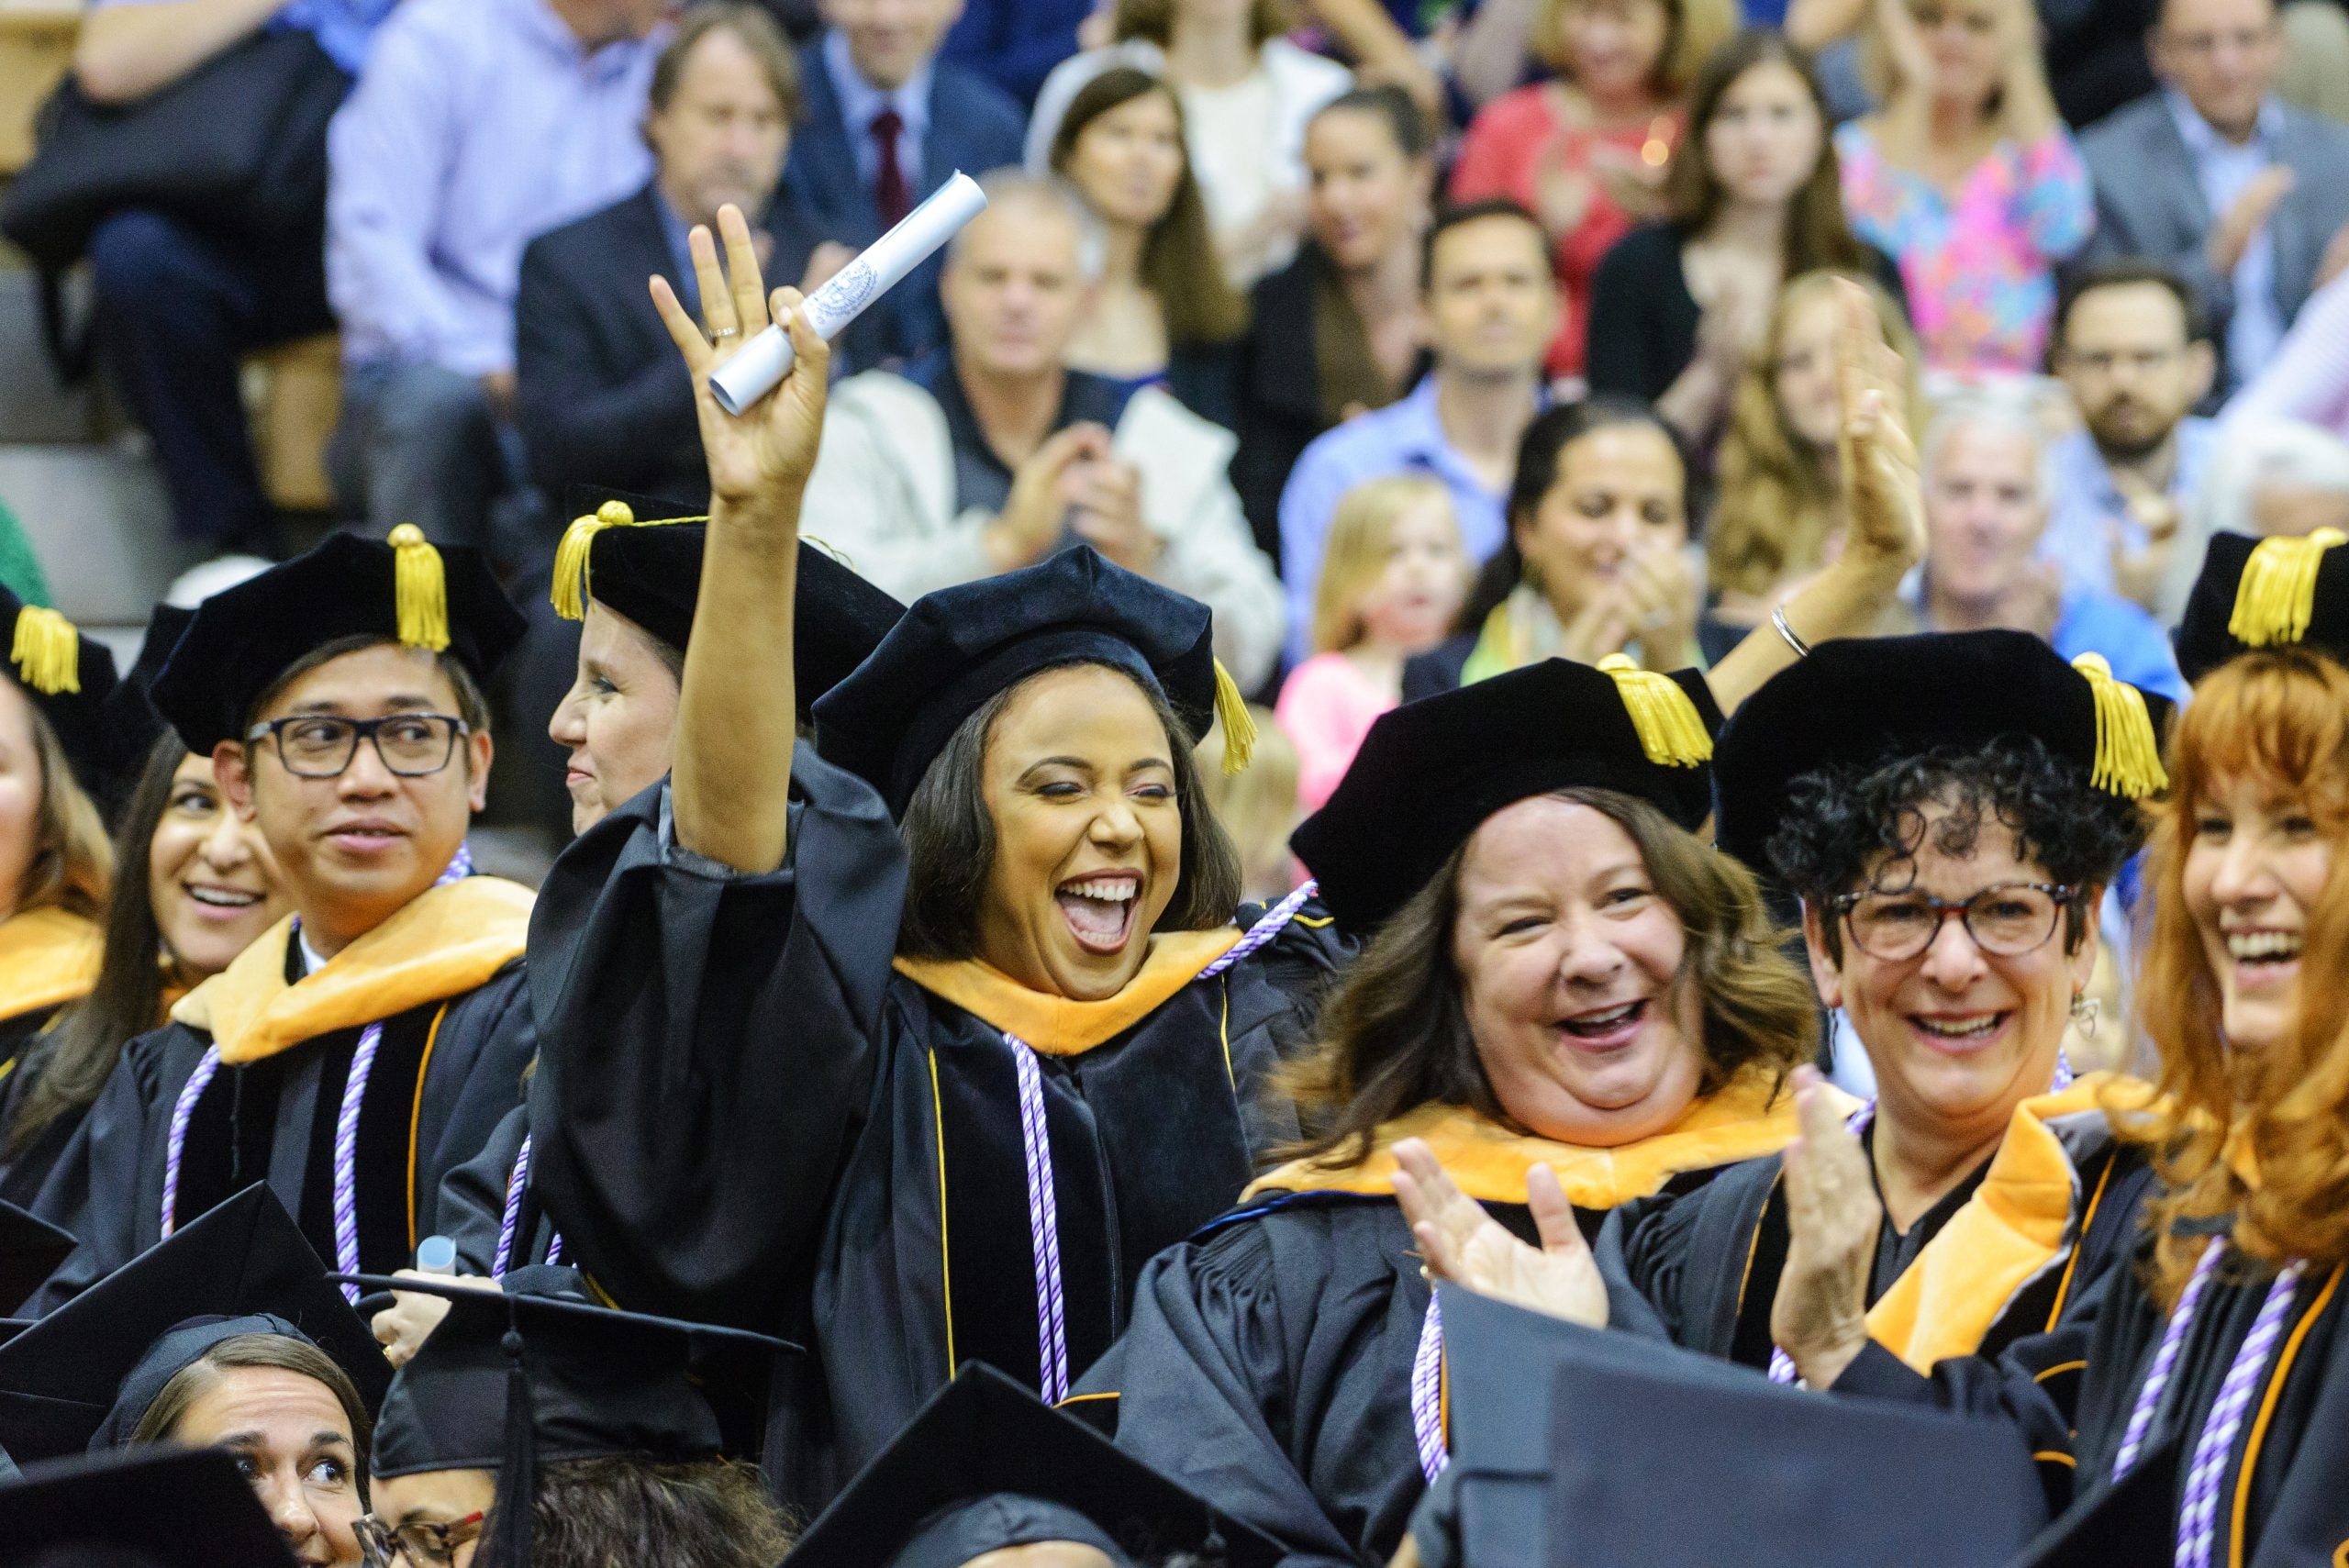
column 156, row 1508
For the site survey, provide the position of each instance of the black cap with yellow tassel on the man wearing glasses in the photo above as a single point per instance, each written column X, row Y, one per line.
column 405, row 590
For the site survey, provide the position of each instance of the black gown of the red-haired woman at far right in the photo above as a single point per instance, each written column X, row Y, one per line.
column 2284, row 1489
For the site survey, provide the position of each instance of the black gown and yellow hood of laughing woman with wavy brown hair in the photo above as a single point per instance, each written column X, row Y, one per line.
column 1270, row 1360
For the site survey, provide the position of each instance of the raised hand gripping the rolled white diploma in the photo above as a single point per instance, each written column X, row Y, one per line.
column 760, row 461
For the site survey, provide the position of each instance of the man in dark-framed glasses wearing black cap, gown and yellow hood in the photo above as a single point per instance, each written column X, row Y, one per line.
column 361, row 1050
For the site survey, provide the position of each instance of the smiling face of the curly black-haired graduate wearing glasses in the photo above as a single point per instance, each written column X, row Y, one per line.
column 1958, row 1036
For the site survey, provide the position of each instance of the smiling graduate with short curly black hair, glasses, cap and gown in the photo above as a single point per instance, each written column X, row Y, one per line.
column 1948, row 816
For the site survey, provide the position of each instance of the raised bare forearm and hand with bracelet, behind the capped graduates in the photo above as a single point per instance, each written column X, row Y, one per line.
column 1883, row 499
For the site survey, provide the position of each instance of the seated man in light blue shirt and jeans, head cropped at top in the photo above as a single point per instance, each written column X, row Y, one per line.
column 476, row 128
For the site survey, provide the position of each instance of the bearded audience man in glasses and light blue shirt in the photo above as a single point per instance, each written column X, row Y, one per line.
column 2136, row 356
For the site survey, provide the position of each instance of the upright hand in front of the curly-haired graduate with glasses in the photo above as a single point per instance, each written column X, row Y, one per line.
column 1833, row 1215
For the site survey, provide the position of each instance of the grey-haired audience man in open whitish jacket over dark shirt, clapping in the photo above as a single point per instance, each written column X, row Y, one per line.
column 990, row 454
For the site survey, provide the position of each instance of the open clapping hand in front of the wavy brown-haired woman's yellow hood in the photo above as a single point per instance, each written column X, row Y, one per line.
column 1469, row 1248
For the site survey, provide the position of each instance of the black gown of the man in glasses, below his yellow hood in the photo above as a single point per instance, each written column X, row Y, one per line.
column 445, row 1074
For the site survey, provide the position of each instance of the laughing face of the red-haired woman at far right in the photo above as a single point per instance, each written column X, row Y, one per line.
column 2256, row 865
